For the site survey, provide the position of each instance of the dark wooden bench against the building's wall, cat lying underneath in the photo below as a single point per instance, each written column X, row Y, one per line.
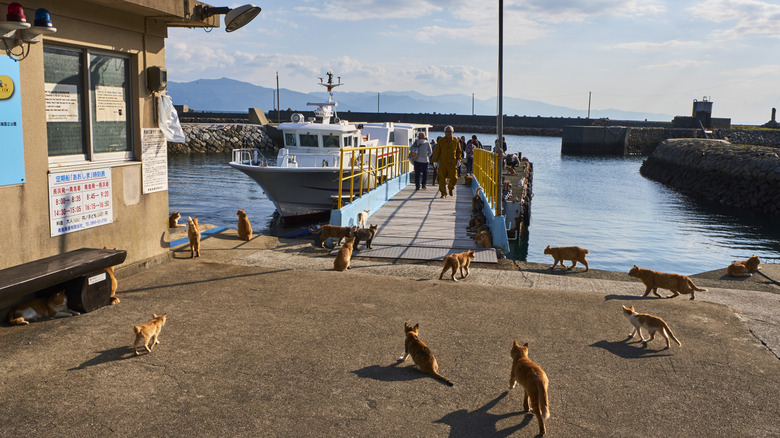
column 80, row 272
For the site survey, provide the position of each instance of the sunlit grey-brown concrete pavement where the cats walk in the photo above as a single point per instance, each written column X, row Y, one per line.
column 263, row 340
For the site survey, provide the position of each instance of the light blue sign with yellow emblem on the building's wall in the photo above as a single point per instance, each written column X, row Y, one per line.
column 12, row 143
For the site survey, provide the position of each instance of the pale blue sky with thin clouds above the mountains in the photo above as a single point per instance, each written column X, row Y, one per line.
column 651, row 56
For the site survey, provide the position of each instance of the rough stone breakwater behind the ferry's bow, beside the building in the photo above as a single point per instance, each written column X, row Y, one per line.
column 203, row 138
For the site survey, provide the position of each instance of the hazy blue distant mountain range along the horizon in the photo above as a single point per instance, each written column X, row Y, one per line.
column 232, row 95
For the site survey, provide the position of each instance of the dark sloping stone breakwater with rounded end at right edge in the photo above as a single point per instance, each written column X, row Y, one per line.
column 745, row 177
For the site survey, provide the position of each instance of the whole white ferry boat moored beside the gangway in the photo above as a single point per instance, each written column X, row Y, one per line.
column 305, row 178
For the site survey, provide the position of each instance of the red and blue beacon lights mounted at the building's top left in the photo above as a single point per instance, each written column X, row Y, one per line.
column 16, row 31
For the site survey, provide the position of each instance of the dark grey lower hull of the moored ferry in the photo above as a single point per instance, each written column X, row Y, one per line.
column 297, row 192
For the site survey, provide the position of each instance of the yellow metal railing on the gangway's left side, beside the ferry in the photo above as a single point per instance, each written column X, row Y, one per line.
column 374, row 164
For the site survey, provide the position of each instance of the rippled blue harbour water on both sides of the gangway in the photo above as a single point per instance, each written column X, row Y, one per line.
column 599, row 203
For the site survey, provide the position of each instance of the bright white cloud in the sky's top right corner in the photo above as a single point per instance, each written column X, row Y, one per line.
column 750, row 17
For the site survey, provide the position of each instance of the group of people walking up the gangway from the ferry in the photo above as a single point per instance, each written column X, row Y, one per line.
column 447, row 153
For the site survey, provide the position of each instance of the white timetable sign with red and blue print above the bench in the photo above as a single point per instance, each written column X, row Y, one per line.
column 80, row 200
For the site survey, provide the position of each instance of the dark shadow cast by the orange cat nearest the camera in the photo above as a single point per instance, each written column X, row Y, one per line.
column 480, row 422
